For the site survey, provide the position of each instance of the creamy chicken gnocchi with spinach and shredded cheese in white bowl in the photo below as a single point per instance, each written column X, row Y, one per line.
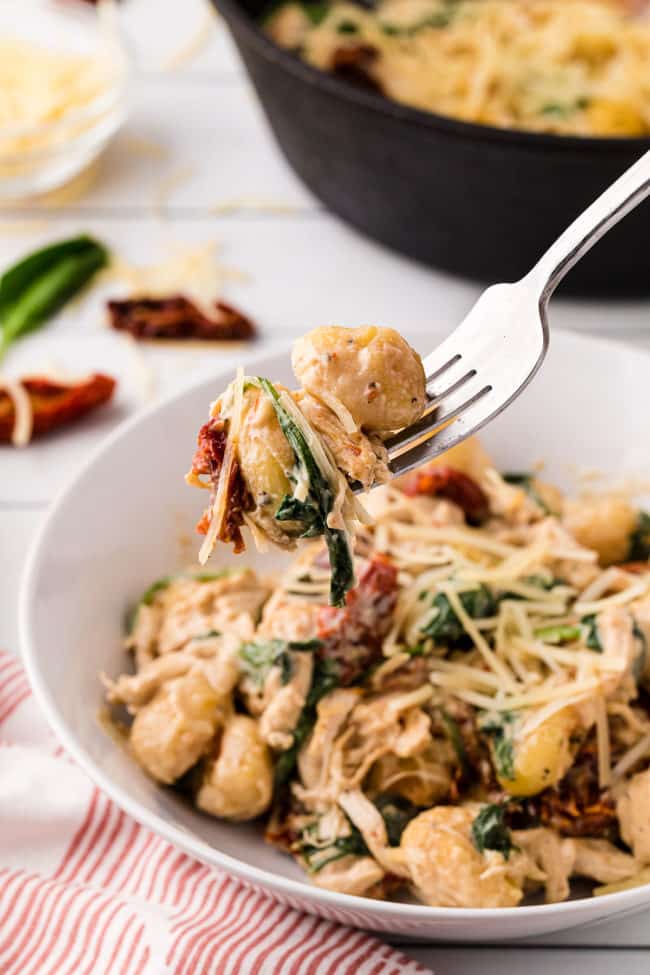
column 473, row 725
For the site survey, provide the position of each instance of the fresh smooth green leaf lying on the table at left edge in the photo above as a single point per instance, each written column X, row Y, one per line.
column 38, row 286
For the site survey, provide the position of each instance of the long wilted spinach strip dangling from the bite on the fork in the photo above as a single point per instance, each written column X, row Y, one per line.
column 318, row 504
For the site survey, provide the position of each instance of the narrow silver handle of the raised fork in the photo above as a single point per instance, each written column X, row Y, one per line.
column 617, row 201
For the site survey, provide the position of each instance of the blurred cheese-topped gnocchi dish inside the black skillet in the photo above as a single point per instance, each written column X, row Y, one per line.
column 573, row 67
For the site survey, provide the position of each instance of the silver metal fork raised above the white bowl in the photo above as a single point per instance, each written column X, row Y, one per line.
column 494, row 353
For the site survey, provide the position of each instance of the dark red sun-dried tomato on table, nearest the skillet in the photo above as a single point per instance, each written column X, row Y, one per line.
column 177, row 317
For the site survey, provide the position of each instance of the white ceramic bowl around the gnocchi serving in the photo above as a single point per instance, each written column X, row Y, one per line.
column 127, row 519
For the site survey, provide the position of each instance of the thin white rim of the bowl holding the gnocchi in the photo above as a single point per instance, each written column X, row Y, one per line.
column 183, row 839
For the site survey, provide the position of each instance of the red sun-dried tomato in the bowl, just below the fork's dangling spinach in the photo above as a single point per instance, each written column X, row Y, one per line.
column 352, row 635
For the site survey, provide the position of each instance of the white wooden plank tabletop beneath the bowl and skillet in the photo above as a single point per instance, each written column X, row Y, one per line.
column 210, row 171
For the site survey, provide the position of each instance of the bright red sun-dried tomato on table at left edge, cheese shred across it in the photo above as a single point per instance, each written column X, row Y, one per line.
column 55, row 404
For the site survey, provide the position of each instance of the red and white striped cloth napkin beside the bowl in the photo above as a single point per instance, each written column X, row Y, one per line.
column 85, row 890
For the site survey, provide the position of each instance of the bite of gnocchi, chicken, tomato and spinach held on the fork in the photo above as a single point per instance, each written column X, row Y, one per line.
column 282, row 463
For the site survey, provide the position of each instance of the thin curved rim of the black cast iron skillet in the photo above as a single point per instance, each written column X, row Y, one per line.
column 315, row 78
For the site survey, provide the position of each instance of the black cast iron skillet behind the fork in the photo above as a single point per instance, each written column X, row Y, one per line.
column 475, row 200
